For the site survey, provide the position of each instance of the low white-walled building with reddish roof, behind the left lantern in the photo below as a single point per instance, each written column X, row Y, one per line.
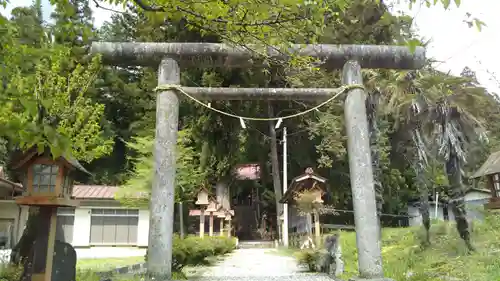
column 100, row 227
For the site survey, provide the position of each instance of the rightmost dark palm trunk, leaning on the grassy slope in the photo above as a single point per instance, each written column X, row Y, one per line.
column 457, row 193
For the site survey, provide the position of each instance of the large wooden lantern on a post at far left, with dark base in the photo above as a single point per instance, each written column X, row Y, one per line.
column 47, row 184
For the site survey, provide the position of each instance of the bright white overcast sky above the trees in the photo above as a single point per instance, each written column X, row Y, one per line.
column 452, row 41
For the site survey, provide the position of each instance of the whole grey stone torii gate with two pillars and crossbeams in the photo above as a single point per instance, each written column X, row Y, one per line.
column 168, row 56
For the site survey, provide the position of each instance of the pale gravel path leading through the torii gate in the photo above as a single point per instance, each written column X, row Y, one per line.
column 259, row 265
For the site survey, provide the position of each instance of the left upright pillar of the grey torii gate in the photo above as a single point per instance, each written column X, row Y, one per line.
column 161, row 223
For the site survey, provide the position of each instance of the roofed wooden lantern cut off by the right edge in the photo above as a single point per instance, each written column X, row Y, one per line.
column 491, row 171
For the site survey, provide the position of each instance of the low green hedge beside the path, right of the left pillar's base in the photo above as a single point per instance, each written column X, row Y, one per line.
column 194, row 250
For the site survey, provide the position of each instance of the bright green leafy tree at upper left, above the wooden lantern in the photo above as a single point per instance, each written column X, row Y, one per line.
column 44, row 93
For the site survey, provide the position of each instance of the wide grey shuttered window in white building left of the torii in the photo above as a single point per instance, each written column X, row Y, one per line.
column 114, row 226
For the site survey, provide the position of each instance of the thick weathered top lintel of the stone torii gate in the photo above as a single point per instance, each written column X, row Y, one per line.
column 215, row 54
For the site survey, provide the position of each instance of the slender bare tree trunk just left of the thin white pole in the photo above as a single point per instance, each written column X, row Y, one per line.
column 275, row 168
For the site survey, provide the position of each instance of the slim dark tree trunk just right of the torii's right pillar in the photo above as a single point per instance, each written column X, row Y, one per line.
column 371, row 107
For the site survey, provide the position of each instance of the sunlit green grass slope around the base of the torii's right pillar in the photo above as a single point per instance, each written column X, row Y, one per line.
column 447, row 256
